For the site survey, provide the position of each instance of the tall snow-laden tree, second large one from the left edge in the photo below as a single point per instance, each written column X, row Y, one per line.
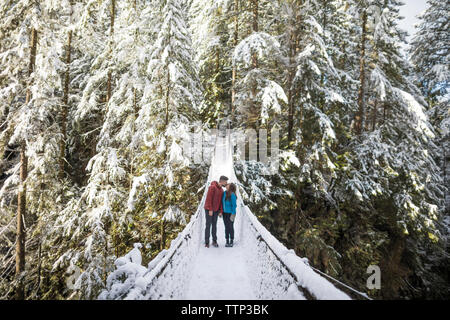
column 101, row 208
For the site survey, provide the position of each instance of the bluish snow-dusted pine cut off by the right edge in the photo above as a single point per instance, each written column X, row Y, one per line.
column 429, row 53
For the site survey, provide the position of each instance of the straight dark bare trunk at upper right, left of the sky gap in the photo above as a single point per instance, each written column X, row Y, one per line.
column 362, row 76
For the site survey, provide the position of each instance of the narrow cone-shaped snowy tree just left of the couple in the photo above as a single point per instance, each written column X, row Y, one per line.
column 164, row 122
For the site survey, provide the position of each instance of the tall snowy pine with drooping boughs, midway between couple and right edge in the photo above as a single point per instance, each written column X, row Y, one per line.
column 317, row 112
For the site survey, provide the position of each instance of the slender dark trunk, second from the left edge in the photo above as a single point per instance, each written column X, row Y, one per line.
column 62, row 145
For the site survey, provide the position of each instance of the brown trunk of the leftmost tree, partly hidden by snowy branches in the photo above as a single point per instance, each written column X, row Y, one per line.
column 21, row 198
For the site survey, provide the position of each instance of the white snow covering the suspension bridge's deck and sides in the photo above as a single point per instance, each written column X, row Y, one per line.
column 257, row 267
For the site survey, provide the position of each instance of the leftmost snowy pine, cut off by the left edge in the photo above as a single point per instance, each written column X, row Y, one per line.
column 33, row 129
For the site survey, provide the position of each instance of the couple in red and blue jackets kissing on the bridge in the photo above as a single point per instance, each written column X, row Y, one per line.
column 217, row 204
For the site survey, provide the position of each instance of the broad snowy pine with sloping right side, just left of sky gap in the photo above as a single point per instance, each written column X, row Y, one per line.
column 388, row 157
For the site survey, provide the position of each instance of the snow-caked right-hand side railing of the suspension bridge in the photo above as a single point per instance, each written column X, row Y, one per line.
column 279, row 272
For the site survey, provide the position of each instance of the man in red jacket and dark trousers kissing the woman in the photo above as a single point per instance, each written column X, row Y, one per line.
column 213, row 208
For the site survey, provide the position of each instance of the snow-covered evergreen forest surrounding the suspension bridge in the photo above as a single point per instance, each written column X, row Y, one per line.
column 97, row 95
